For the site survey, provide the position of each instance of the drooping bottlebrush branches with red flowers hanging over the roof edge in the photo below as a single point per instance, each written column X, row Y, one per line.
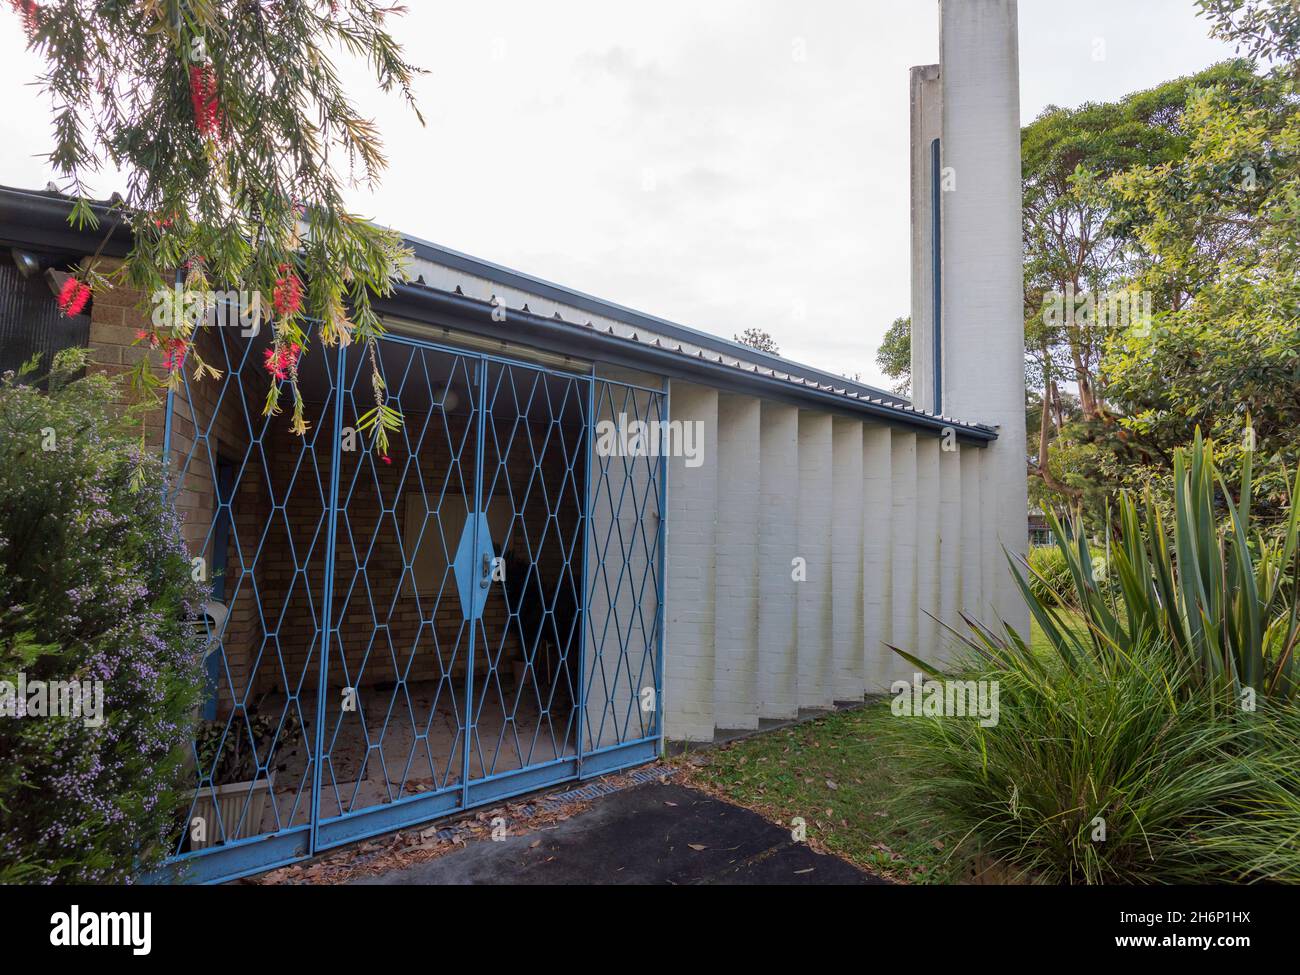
column 237, row 140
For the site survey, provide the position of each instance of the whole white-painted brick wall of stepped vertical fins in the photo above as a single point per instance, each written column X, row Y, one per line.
column 744, row 640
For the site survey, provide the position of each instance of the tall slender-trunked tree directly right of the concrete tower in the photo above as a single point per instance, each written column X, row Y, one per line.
column 1080, row 262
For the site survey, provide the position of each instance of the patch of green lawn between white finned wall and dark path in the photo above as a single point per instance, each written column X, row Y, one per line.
column 838, row 774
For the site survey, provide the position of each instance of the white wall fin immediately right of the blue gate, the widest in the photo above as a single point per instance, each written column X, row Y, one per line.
column 691, row 571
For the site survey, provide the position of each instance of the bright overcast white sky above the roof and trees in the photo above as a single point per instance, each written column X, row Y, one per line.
column 721, row 163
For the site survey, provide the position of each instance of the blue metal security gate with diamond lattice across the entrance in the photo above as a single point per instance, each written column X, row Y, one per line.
column 393, row 639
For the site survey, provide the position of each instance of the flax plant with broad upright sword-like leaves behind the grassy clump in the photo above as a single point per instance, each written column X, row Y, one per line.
column 1219, row 596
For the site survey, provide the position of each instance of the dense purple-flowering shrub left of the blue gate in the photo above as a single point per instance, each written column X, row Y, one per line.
column 94, row 587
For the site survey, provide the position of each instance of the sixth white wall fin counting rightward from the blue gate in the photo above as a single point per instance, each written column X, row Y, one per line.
column 877, row 554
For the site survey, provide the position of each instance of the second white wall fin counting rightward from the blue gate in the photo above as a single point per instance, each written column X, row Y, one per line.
column 736, row 606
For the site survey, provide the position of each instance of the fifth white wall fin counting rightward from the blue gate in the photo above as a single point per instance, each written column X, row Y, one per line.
column 847, row 558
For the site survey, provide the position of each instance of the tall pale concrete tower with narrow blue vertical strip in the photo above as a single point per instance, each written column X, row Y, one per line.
column 968, row 265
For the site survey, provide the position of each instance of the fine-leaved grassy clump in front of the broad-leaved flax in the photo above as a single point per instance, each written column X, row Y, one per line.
column 1184, row 794
